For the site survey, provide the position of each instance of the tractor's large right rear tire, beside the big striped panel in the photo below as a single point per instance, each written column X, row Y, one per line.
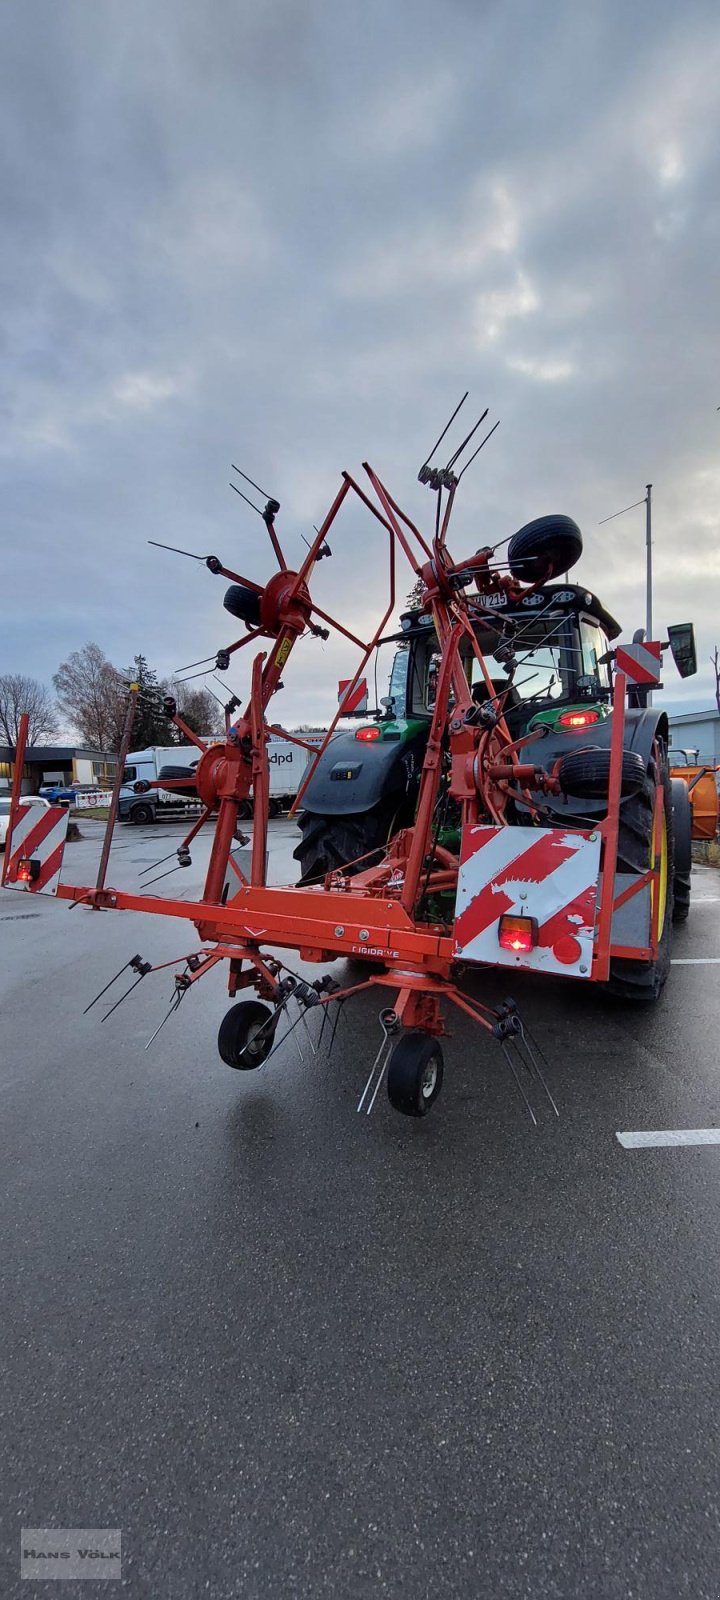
column 644, row 980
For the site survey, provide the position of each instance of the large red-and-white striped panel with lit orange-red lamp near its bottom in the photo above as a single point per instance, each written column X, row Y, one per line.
column 546, row 874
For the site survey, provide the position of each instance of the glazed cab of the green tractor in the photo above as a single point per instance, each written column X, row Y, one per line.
column 548, row 657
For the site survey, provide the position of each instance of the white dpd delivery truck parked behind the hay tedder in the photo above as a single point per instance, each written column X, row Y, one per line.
column 287, row 764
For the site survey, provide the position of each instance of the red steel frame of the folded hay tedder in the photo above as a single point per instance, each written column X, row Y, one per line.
column 372, row 914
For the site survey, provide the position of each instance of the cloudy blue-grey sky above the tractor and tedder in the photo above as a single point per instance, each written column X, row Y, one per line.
column 290, row 236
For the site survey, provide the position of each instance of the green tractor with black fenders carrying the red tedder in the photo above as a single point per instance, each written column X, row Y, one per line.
column 554, row 674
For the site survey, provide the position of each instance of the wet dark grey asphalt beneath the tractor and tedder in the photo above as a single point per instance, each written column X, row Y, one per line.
column 292, row 1351
